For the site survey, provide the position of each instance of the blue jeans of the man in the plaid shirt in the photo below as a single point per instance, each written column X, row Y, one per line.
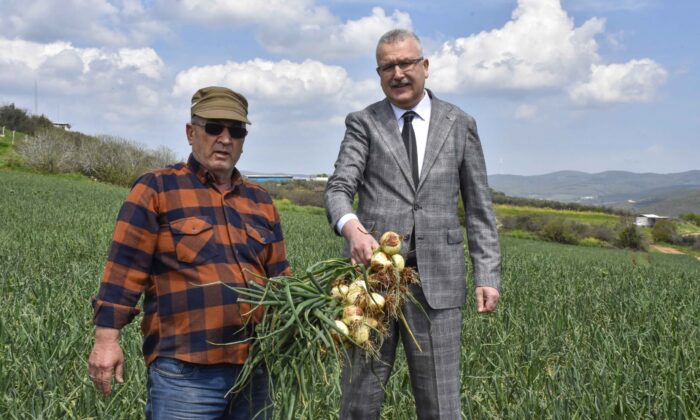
column 182, row 390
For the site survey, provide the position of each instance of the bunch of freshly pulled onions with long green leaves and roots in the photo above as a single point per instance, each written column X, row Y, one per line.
column 305, row 323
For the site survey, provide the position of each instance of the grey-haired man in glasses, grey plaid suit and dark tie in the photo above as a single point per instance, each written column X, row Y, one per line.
column 409, row 172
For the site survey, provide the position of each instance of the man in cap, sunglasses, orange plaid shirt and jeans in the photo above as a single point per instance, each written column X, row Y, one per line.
column 182, row 233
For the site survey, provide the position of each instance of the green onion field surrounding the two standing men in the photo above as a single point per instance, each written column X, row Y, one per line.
column 580, row 332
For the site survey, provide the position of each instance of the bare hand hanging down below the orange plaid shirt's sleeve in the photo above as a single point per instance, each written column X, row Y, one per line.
column 106, row 357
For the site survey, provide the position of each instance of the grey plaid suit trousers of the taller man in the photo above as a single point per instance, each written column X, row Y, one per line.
column 434, row 371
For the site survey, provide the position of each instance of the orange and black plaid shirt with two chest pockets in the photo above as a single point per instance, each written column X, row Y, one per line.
column 177, row 236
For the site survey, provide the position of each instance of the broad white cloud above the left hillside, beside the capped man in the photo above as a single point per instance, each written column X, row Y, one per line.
column 97, row 90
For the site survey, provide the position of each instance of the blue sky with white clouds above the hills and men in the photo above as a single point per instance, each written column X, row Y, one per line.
column 586, row 85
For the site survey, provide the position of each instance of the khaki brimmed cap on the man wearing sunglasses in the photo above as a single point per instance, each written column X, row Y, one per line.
column 219, row 103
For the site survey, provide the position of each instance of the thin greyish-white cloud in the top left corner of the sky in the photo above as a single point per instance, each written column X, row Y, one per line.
column 110, row 23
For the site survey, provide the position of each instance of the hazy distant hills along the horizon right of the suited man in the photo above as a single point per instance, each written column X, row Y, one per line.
column 668, row 194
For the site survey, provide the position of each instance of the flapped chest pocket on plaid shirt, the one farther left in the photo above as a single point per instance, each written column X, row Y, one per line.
column 194, row 240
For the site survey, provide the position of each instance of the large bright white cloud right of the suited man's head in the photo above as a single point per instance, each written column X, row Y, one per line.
column 540, row 49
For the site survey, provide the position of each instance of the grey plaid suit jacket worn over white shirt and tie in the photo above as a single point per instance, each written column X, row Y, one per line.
column 373, row 162
